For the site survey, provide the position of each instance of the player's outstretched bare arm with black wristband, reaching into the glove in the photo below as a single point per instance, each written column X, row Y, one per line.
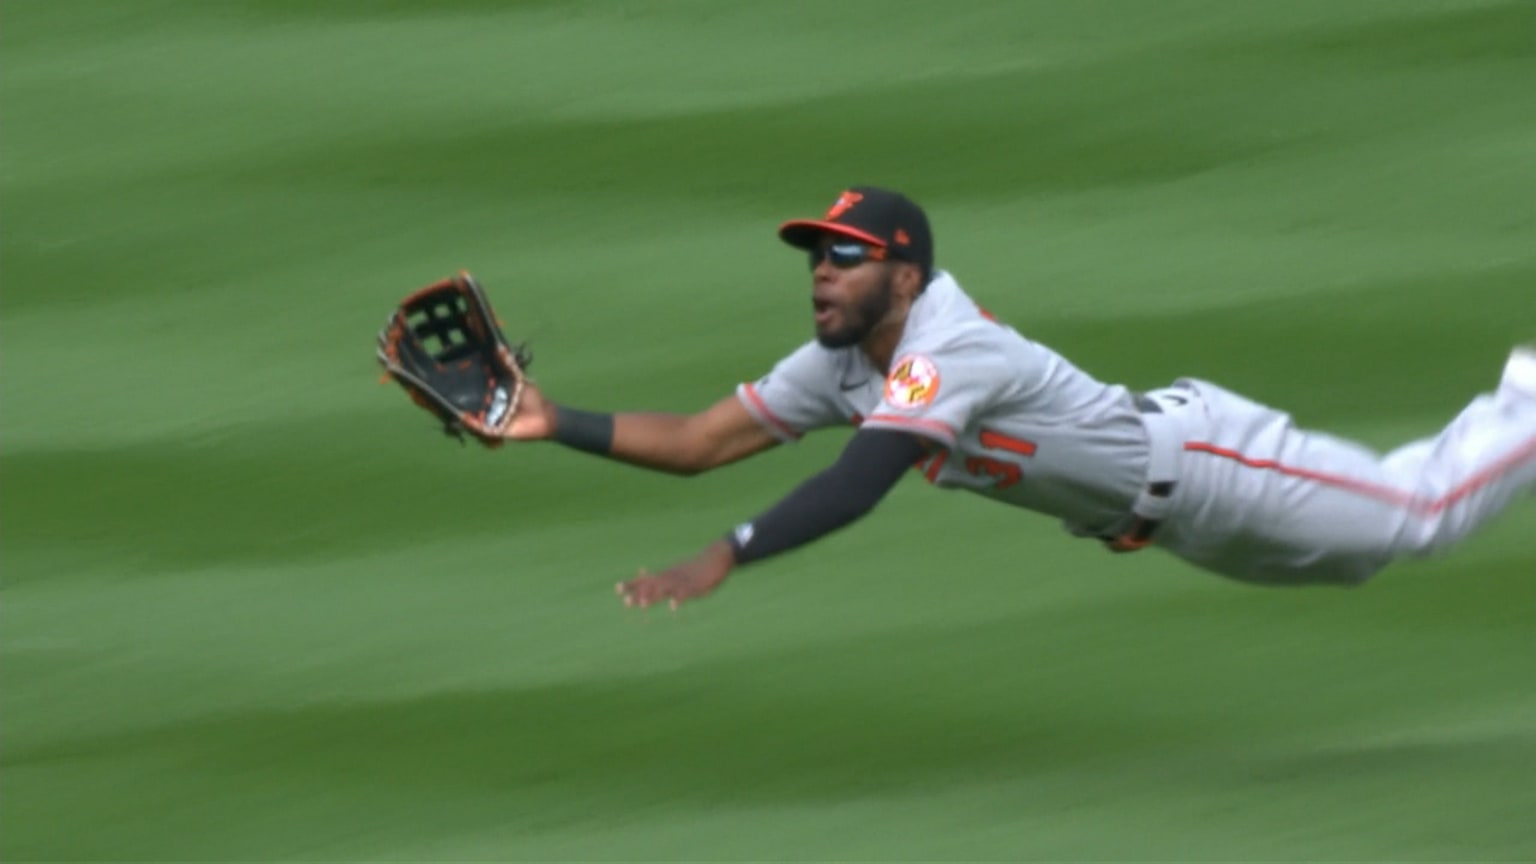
column 675, row 444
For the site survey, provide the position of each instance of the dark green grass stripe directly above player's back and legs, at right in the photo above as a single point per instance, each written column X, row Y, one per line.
column 1395, row 350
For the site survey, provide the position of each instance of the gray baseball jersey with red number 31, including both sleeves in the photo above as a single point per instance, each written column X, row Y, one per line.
column 1013, row 419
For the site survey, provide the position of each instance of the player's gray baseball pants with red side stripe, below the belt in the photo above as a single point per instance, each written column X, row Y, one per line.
column 1262, row 500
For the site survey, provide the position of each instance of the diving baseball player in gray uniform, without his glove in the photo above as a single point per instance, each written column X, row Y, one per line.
column 933, row 382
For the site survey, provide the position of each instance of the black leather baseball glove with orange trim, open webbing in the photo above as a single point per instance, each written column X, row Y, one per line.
column 446, row 348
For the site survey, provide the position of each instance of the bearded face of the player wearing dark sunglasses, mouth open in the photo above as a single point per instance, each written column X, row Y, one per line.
column 852, row 291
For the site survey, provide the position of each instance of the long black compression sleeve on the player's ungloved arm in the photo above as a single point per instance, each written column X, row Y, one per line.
column 869, row 468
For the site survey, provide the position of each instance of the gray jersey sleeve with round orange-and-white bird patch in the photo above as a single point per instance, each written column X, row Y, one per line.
column 938, row 391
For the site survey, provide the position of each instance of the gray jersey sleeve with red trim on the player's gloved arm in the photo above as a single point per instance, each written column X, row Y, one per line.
column 798, row 396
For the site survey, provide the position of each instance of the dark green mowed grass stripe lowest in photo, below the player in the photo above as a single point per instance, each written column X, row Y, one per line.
column 879, row 717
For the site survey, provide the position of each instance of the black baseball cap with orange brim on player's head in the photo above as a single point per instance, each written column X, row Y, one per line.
column 875, row 216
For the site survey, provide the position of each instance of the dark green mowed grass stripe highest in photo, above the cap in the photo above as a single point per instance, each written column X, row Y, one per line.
column 1047, row 131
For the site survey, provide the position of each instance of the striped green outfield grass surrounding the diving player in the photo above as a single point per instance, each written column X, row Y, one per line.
column 257, row 608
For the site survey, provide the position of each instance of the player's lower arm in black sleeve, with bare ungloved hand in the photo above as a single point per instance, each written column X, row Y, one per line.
column 870, row 467
